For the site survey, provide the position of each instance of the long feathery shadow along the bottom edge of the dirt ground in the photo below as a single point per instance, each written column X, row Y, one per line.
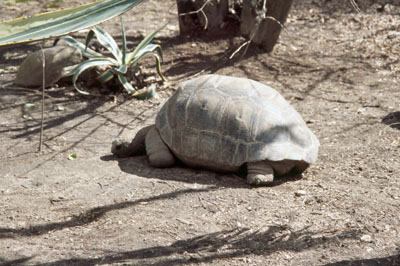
column 226, row 244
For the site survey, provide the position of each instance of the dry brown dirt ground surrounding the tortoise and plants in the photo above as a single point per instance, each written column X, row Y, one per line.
column 340, row 69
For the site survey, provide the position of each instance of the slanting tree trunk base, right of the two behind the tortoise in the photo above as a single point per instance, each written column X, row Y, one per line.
column 267, row 33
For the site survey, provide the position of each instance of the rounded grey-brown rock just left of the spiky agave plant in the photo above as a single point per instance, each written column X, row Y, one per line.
column 30, row 73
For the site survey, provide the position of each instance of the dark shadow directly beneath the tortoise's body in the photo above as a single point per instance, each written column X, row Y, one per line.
column 139, row 166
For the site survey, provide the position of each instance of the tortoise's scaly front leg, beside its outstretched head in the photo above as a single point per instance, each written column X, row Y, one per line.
column 157, row 151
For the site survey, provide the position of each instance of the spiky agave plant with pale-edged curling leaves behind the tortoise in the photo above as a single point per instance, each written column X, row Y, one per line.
column 121, row 62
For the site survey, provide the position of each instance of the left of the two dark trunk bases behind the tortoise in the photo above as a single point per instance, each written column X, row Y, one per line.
column 214, row 14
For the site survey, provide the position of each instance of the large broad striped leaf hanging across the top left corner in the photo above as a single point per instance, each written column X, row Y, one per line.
column 47, row 25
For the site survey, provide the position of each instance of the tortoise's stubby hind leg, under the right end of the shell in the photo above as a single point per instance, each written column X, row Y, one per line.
column 259, row 173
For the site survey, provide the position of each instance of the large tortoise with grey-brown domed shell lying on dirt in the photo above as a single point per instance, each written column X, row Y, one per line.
column 223, row 123
